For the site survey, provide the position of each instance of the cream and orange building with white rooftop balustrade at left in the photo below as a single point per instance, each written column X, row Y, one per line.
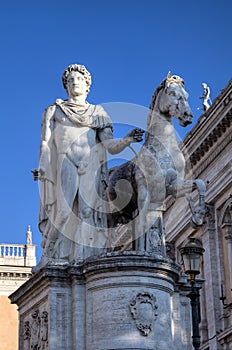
column 16, row 261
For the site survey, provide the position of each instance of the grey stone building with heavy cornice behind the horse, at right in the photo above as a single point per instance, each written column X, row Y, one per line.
column 208, row 150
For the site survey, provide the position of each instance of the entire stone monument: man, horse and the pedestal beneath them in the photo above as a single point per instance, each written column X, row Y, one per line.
column 82, row 297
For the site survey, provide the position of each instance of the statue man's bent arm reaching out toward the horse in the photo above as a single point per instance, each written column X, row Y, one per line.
column 116, row 146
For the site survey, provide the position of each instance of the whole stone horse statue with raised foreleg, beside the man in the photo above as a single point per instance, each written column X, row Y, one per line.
column 138, row 188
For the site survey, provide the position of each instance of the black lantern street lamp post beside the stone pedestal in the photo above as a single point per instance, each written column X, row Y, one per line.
column 192, row 254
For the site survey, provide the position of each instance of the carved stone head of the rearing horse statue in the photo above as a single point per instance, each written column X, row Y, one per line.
column 173, row 99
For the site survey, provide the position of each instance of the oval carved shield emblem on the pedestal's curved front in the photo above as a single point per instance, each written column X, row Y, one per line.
column 144, row 311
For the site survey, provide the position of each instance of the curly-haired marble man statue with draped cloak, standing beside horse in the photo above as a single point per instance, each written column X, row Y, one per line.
column 73, row 171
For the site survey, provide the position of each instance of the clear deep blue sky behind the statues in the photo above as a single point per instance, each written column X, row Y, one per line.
column 127, row 45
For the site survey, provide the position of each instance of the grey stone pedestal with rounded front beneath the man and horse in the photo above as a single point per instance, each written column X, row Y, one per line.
column 125, row 300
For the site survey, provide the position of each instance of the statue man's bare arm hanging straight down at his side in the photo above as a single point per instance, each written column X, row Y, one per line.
column 46, row 133
